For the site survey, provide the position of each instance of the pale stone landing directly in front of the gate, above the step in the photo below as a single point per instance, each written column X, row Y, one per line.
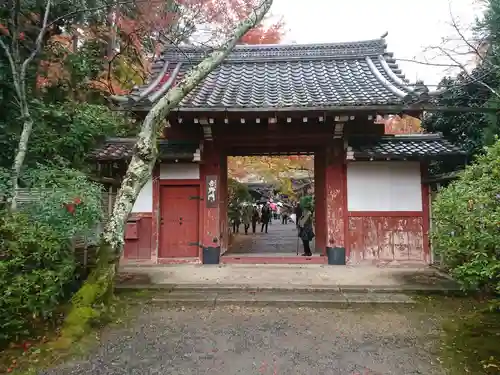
column 265, row 276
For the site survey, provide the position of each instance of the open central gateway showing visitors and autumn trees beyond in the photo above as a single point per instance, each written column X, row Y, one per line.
column 263, row 206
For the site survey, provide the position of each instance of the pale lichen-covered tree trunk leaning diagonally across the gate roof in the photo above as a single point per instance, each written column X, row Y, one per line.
column 145, row 151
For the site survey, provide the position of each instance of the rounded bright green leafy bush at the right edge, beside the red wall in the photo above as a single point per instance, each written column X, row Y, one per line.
column 466, row 218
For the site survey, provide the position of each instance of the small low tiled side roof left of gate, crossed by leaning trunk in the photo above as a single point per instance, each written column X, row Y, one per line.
column 115, row 149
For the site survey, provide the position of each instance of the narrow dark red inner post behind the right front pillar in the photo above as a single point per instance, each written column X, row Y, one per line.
column 320, row 200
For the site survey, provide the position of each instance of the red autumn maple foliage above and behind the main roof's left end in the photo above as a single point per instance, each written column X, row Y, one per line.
column 142, row 31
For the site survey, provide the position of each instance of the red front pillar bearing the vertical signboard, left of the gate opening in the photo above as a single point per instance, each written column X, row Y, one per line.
column 211, row 236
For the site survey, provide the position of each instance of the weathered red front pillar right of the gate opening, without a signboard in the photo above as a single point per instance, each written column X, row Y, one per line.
column 335, row 190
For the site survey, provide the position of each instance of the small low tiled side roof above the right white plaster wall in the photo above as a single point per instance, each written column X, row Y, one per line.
column 403, row 147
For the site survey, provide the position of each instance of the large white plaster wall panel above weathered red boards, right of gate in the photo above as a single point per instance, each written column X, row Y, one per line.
column 384, row 186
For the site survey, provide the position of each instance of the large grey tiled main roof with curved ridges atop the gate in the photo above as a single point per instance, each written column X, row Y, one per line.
column 284, row 76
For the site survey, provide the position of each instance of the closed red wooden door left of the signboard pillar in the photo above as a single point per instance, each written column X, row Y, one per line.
column 179, row 234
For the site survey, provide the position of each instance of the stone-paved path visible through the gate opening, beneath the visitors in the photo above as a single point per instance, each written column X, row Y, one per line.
column 281, row 239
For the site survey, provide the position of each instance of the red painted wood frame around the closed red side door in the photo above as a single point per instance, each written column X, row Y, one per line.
column 157, row 182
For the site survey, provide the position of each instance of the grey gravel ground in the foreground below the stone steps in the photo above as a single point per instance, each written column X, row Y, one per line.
column 271, row 341
